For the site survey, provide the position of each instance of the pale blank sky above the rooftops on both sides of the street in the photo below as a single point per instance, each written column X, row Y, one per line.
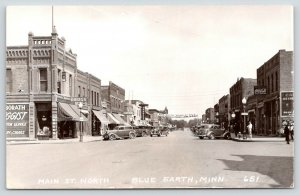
column 183, row 57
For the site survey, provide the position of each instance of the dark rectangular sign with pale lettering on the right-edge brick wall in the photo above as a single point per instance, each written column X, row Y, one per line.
column 287, row 104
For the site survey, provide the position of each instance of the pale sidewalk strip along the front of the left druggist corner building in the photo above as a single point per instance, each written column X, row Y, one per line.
column 86, row 138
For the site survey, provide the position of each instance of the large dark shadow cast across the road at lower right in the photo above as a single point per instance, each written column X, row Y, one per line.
column 279, row 168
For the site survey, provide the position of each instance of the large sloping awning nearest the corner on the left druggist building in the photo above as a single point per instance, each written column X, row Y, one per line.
column 68, row 112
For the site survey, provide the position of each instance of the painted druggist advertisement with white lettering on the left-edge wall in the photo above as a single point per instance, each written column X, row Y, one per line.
column 17, row 120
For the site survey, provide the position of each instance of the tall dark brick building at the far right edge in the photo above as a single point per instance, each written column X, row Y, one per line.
column 275, row 77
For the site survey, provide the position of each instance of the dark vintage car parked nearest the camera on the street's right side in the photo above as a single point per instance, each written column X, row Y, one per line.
column 212, row 131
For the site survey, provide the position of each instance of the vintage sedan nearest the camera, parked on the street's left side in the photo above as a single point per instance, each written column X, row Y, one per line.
column 120, row 132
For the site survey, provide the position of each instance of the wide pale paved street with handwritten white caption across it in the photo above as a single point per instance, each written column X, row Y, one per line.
column 177, row 161
